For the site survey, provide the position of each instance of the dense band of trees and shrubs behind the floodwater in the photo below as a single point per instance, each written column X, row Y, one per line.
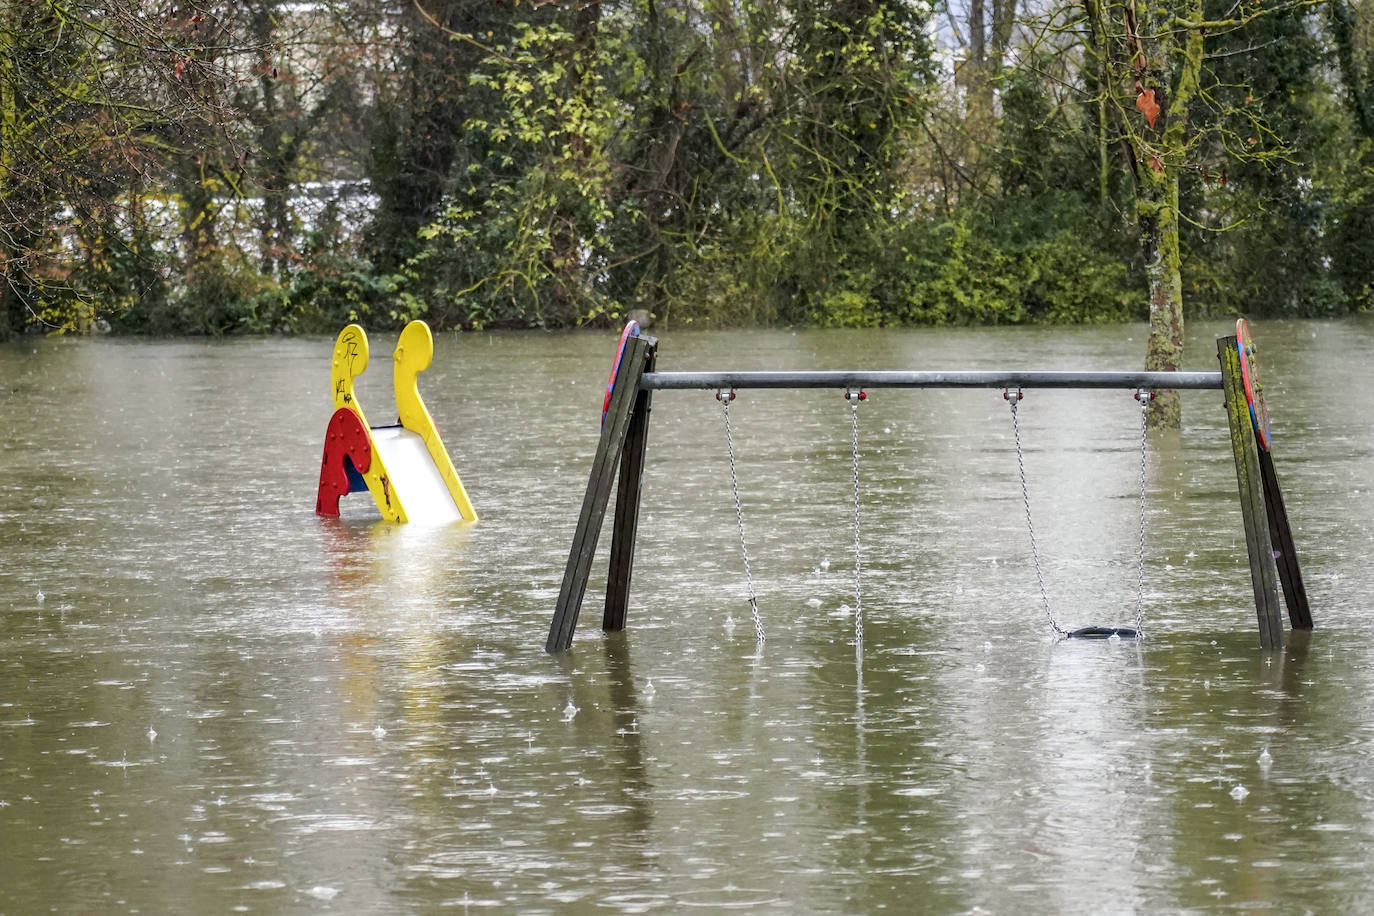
column 273, row 165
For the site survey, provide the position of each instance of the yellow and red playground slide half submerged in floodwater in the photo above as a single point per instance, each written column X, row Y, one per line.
column 405, row 466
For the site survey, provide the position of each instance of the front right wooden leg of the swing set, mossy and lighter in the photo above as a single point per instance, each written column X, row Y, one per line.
column 1248, row 477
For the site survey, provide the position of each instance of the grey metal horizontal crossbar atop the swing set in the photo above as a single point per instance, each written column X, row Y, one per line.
column 930, row 380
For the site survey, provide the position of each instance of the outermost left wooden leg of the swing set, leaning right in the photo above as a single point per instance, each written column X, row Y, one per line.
column 638, row 355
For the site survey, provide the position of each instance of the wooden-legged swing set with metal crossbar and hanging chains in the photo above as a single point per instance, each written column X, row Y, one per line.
column 624, row 439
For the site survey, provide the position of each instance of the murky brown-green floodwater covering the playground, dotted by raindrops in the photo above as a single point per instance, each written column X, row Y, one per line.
column 215, row 701
